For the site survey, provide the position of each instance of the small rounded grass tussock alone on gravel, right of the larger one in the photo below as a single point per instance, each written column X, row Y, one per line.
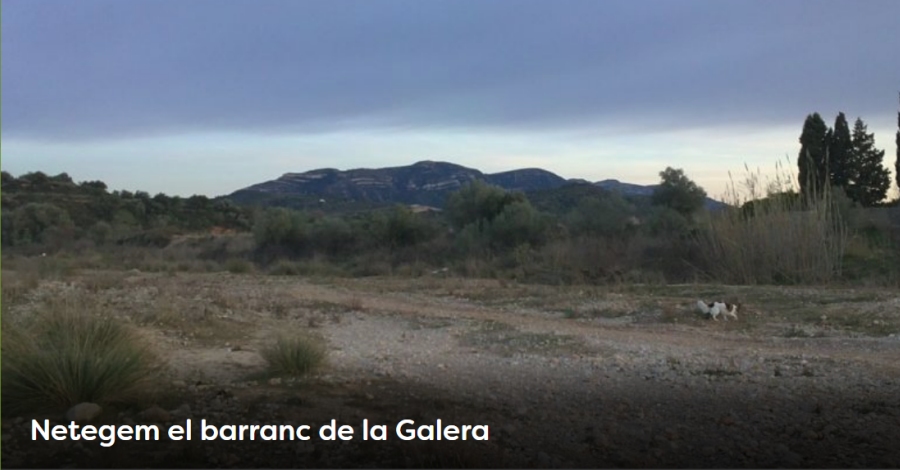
column 294, row 355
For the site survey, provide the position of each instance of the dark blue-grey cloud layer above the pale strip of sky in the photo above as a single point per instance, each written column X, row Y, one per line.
column 106, row 69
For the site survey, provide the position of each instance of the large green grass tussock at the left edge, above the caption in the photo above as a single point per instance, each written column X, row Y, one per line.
column 65, row 356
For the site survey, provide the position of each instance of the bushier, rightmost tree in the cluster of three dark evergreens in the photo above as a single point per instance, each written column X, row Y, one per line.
column 872, row 179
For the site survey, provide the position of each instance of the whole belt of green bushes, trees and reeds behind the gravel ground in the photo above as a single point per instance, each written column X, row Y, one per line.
column 575, row 234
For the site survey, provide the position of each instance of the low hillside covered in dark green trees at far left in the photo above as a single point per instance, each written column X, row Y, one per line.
column 38, row 209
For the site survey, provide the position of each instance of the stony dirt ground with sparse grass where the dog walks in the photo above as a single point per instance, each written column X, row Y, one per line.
column 562, row 376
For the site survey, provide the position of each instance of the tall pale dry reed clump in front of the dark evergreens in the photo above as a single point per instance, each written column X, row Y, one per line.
column 776, row 236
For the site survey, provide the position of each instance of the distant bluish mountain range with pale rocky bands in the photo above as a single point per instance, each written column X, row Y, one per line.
column 425, row 183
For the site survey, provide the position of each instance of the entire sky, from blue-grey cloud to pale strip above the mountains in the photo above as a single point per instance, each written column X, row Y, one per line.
column 210, row 96
